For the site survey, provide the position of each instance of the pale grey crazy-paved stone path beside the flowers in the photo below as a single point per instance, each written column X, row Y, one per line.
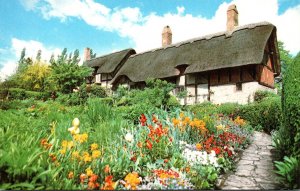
column 254, row 171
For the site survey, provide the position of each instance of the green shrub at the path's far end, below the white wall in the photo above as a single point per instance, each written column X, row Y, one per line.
column 266, row 114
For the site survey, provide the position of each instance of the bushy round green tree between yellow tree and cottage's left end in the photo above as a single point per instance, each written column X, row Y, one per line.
column 66, row 72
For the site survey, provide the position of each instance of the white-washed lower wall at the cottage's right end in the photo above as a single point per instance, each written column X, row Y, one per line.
column 228, row 93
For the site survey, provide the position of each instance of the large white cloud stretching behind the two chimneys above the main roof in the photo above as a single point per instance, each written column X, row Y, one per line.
column 145, row 31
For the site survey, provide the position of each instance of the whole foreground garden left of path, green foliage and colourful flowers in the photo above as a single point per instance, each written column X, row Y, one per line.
column 103, row 151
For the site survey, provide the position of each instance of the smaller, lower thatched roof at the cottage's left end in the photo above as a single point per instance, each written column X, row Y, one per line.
column 108, row 63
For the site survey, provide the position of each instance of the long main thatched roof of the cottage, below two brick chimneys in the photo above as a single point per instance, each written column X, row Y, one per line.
column 243, row 46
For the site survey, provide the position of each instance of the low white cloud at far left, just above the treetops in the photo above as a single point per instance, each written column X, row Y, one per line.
column 32, row 47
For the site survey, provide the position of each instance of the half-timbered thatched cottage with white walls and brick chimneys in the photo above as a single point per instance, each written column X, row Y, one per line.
column 223, row 67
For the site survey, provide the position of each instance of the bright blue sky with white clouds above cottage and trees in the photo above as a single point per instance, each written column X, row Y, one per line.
column 107, row 26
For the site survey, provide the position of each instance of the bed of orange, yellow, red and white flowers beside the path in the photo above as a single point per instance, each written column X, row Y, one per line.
column 161, row 152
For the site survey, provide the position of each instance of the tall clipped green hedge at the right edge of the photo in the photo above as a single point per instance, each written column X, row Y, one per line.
column 291, row 107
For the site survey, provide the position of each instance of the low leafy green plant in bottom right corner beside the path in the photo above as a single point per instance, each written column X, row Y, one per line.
column 289, row 171
